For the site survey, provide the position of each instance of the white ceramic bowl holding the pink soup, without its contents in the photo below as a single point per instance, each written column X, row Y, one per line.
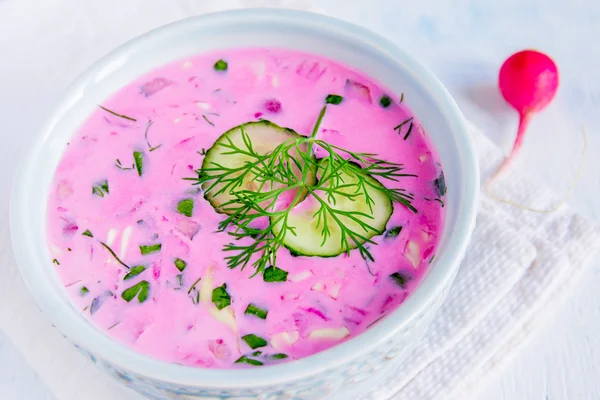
column 365, row 356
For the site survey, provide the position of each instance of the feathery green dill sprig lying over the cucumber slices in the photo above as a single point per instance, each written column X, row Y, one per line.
column 287, row 168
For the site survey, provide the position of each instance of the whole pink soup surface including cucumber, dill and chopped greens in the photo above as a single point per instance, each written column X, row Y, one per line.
column 136, row 223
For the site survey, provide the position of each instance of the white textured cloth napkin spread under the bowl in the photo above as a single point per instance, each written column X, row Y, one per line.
column 517, row 263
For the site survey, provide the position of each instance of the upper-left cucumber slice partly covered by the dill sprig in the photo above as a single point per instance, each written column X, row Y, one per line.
column 265, row 136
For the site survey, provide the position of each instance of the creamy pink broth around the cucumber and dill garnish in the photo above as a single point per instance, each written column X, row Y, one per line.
column 345, row 294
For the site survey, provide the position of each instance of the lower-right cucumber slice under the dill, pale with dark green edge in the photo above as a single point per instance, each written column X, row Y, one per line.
column 308, row 240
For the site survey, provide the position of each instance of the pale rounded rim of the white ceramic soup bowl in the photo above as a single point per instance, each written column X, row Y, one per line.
column 121, row 356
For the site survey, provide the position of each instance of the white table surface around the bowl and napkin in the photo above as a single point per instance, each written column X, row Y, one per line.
column 462, row 41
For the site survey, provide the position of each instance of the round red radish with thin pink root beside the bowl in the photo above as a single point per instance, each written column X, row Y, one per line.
column 528, row 81
